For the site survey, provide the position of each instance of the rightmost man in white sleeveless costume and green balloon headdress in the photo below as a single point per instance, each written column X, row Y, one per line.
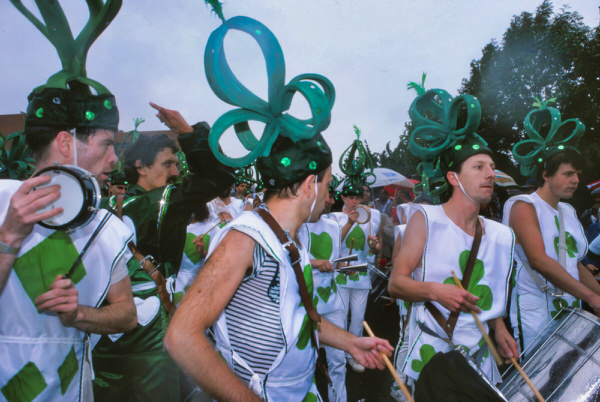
column 551, row 241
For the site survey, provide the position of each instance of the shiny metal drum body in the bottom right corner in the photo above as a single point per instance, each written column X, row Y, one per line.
column 564, row 363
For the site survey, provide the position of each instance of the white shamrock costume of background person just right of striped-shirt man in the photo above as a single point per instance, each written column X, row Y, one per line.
column 322, row 239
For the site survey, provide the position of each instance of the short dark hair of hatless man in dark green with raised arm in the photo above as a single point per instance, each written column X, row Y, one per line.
column 144, row 150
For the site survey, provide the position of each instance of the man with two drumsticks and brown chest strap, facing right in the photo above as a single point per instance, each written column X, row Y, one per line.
column 440, row 238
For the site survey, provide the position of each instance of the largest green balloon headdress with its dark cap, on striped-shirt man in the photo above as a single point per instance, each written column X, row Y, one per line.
column 300, row 150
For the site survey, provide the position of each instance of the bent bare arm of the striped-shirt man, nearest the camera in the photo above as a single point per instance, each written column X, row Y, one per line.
column 186, row 341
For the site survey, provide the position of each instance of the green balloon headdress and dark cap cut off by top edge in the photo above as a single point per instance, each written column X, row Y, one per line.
column 66, row 100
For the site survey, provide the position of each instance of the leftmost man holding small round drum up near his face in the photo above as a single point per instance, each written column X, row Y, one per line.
column 61, row 285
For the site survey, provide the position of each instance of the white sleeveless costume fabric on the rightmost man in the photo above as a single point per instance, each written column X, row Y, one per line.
column 532, row 309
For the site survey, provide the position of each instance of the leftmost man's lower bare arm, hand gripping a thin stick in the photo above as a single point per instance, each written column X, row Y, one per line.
column 63, row 299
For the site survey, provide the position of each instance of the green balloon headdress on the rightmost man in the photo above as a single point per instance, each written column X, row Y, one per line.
column 548, row 135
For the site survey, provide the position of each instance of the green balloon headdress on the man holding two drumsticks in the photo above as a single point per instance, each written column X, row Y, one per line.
column 444, row 129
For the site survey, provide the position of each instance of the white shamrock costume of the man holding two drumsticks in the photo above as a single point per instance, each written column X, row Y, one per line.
column 447, row 249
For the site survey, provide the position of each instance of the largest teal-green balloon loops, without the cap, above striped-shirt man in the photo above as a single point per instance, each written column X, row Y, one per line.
column 317, row 90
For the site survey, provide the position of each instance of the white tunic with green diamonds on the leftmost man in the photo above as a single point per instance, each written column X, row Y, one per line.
column 41, row 357
